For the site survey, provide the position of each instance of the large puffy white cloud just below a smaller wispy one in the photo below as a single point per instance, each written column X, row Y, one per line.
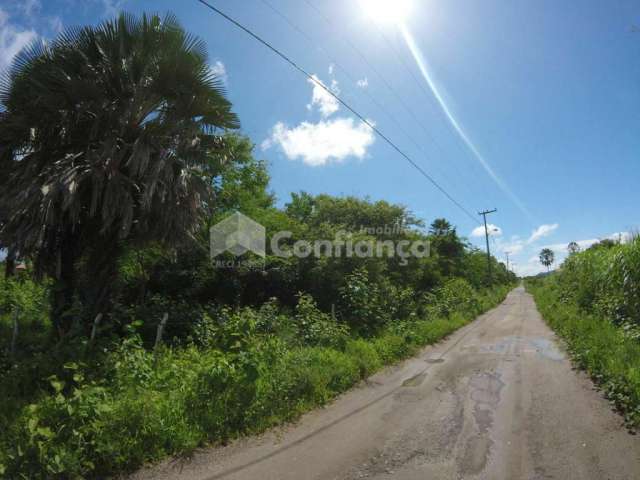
column 323, row 142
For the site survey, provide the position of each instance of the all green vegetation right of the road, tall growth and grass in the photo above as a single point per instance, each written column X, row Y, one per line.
column 593, row 302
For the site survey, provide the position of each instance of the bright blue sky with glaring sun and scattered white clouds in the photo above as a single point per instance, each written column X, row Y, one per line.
column 531, row 108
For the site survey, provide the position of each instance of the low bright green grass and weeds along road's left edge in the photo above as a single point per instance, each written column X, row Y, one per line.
column 145, row 406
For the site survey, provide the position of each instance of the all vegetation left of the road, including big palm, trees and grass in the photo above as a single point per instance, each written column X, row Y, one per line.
column 113, row 176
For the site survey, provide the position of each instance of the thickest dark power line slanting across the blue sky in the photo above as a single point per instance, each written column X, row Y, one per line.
column 342, row 102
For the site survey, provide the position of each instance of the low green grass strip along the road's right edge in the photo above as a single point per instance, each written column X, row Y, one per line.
column 607, row 352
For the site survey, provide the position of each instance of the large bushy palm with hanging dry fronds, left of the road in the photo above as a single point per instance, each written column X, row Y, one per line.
column 109, row 134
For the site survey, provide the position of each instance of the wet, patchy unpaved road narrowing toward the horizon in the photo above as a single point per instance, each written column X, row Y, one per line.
column 496, row 400
